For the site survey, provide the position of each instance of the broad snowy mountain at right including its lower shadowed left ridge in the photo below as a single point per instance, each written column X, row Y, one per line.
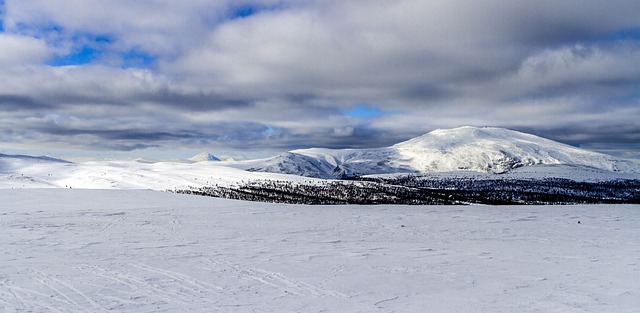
column 486, row 149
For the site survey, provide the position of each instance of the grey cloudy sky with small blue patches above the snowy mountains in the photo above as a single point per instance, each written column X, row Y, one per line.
column 165, row 79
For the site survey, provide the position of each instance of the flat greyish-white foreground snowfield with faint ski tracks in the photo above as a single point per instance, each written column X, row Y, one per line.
column 144, row 251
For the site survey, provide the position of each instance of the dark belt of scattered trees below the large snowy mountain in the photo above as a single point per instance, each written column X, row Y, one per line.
column 425, row 190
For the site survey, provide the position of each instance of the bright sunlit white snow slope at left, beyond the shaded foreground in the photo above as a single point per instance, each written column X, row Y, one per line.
column 20, row 172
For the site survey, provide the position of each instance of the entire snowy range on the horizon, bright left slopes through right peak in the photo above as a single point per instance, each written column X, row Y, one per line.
column 449, row 153
